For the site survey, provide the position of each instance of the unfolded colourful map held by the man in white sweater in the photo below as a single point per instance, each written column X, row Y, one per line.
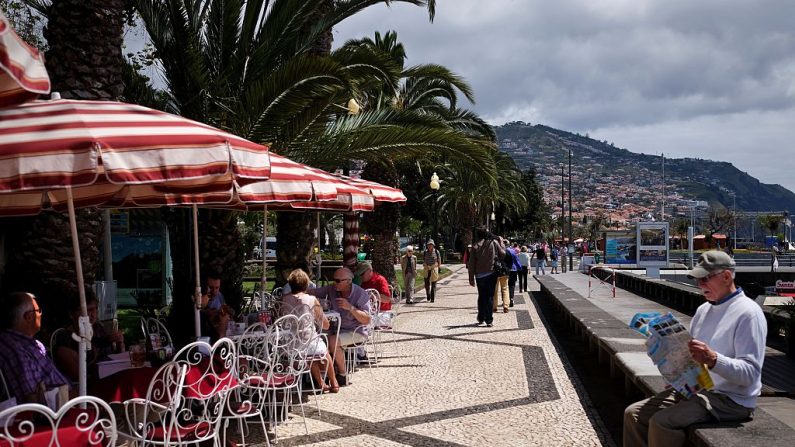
column 666, row 345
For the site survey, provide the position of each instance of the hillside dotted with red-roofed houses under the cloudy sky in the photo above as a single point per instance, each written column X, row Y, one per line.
column 621, row 175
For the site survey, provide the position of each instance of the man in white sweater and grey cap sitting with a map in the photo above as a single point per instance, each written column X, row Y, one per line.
column 729, row 332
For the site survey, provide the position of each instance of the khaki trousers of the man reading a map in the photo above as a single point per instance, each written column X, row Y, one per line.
column 661, row 420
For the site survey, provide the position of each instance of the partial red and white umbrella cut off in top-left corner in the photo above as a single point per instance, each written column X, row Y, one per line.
column 22, row 73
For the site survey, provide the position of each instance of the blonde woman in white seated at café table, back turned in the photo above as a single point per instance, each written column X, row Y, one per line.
column 298, row 303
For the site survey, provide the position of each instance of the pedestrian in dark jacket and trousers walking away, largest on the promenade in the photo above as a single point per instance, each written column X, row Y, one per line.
column 483, row 257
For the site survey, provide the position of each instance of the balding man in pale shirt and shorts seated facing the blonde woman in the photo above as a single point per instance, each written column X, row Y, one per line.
column 353, row 305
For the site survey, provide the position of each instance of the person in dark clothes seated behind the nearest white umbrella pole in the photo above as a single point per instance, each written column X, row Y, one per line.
column 65, row 347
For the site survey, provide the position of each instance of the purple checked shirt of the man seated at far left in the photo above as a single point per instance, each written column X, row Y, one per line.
column 25, row 365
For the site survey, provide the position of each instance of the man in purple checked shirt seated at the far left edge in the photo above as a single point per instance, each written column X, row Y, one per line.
column 28, row 371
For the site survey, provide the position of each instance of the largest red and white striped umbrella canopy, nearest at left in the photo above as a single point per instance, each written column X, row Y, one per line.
column 113, row 153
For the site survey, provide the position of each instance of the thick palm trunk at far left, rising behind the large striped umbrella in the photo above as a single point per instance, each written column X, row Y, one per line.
column 84, row 61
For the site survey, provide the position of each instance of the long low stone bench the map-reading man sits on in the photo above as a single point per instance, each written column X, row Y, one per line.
column 625, row 350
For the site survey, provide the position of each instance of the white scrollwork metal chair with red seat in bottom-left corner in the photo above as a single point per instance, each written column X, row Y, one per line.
column 85, row 417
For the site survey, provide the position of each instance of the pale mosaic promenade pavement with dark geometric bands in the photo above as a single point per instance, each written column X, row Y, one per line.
column 454, row 384
